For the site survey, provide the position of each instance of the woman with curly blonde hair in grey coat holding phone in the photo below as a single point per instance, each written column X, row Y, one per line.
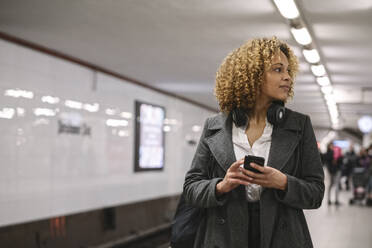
column 246, row 209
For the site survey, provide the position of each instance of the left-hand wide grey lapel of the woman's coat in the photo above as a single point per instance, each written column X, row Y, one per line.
column 220, row 143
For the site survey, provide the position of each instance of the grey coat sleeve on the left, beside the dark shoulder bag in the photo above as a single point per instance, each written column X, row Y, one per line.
column 199, row 188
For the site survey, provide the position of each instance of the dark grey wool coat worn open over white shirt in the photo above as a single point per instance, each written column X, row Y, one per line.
column 293, row 151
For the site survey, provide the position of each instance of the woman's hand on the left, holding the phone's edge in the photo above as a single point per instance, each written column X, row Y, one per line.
column 233, row 178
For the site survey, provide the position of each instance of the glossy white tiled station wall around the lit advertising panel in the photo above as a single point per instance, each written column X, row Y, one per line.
column 44, row 173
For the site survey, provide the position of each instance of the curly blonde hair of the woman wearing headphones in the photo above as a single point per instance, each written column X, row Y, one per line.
column 240, row 76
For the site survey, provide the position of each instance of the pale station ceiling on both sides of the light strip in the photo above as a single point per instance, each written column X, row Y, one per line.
column 177, row 46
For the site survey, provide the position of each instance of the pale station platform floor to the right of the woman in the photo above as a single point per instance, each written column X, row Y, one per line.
column 344, row 226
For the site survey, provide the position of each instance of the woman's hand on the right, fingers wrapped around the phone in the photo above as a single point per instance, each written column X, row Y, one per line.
column 270, row 177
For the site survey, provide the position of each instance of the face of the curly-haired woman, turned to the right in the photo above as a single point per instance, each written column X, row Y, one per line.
column 277, row 81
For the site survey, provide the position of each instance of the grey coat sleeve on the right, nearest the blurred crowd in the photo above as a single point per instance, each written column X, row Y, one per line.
column 306, row 192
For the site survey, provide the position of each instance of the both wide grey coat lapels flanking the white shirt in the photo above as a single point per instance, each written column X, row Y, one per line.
column 284, row 140
